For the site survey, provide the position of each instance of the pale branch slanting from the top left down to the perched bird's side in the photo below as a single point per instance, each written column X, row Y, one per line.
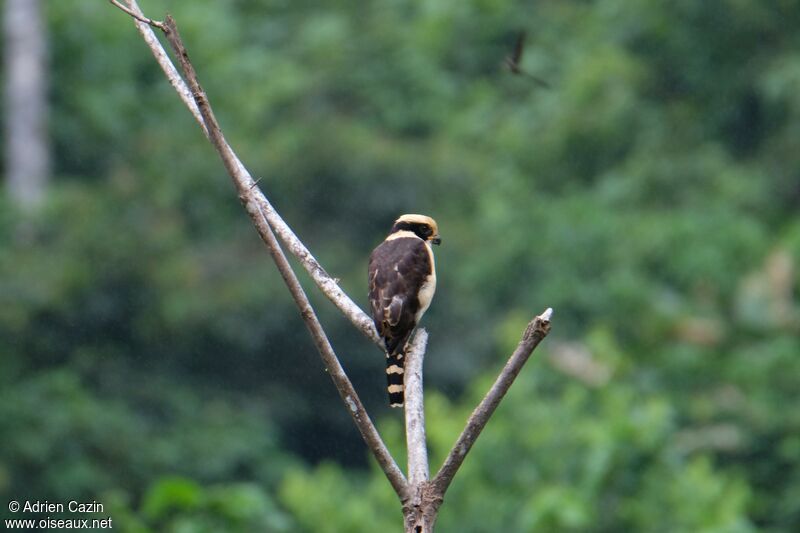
column 197, row 102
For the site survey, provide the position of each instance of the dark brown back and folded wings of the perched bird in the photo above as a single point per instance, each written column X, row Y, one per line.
column 397, row 269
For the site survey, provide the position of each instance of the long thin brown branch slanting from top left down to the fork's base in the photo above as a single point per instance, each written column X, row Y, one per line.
column 245, row 186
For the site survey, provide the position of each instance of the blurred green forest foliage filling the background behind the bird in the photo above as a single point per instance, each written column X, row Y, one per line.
column 150, row 357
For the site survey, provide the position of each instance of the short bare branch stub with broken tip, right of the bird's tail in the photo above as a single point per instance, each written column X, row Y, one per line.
column 537, row 330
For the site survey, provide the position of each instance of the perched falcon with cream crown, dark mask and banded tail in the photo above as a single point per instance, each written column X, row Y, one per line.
column 402, row 280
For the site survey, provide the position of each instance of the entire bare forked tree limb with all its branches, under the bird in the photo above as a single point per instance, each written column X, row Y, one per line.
column 420, row 496
